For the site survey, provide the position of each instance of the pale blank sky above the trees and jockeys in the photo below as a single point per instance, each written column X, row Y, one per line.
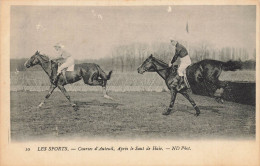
column 90, row 32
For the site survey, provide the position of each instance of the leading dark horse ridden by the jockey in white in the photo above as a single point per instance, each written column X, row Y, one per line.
column 91, row 74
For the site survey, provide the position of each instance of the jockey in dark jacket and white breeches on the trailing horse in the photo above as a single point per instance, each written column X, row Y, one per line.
column 185, row 61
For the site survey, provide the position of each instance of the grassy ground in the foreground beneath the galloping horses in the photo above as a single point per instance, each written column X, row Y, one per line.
column 131, row 115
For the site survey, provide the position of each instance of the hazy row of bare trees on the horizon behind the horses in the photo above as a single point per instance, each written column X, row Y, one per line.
column 126, row 58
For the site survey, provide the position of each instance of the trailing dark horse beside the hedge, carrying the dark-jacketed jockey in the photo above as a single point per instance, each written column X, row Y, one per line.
column 205, row 71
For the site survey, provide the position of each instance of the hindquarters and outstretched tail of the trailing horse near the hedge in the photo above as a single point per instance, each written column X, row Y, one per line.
column 205, row 74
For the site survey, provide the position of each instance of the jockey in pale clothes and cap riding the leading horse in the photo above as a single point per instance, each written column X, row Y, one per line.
column 69, row 60
